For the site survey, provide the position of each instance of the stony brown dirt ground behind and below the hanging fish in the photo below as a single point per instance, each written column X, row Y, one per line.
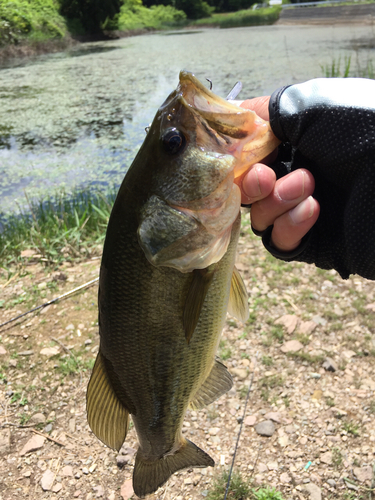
column 320, row 422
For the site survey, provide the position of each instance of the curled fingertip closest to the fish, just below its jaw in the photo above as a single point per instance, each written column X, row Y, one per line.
column 256, row 184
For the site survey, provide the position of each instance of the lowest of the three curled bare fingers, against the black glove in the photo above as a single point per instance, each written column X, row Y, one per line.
column 290, row 228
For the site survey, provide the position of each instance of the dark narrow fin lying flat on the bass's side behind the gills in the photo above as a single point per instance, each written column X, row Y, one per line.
column 194, row 301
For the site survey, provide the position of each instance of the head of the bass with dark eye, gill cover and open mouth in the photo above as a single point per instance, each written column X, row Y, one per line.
column 200, row 143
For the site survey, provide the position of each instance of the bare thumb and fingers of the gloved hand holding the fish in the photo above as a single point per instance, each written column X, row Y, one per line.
column 287, row 203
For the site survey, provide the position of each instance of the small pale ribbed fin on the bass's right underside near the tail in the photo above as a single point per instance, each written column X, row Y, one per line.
column 216, row 384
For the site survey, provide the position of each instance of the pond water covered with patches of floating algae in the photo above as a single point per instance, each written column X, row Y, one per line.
column 76, row 119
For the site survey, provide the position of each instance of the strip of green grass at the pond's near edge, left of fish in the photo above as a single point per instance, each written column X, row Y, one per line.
column 59, row 228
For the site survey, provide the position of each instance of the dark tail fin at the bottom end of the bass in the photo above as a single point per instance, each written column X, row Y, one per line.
column 149, row 476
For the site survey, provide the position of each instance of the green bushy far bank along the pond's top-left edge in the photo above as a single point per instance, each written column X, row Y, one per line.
column 28, row 28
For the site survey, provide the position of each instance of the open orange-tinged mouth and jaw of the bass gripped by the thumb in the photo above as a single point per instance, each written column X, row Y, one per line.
column 240, row 131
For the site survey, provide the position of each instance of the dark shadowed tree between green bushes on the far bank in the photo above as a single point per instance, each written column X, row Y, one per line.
column 91, row 13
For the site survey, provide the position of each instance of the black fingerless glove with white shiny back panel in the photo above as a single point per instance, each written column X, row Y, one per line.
column 330, row 124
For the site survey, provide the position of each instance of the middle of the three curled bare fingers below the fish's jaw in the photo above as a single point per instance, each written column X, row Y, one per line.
column 289, row 191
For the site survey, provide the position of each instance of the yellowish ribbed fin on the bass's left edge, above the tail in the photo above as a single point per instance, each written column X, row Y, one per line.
column 106, row 415
